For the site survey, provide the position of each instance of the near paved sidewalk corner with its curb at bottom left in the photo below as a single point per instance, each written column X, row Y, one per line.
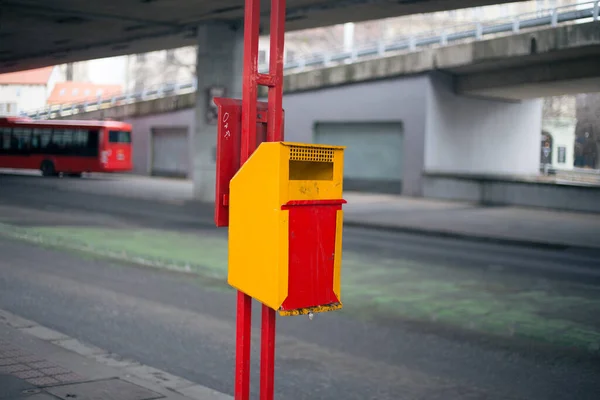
column 37, row 363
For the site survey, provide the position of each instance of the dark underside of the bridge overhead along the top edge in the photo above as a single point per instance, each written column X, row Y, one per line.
column 37, row 33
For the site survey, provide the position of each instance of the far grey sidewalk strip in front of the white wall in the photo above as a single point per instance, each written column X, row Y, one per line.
column 516, row 225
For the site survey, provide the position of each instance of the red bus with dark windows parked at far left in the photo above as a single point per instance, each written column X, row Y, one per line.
column 65, row 147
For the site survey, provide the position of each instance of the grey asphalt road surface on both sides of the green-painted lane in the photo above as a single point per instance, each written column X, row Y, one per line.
column 184, row 326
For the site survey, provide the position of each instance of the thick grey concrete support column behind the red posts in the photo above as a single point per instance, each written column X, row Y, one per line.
column 219, row 64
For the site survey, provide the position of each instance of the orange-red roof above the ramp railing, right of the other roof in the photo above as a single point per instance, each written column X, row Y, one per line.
column 74, row 92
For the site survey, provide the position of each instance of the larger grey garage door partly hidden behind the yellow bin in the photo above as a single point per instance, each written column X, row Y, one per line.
column 373, row 155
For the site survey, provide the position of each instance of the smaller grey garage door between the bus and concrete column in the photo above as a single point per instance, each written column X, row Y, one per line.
column 170, row 152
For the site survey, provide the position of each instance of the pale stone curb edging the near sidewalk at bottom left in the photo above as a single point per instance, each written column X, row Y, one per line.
column 127, row 367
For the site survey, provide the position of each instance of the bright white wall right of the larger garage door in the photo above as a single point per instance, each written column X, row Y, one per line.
column 480, row 136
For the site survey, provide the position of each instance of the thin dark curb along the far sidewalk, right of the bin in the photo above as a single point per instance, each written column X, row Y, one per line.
column 468, row 236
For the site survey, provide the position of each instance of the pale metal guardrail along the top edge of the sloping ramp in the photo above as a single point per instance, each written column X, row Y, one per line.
column 579, row 12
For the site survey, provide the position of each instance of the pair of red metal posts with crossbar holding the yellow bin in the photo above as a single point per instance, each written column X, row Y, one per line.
column 274, row 80
